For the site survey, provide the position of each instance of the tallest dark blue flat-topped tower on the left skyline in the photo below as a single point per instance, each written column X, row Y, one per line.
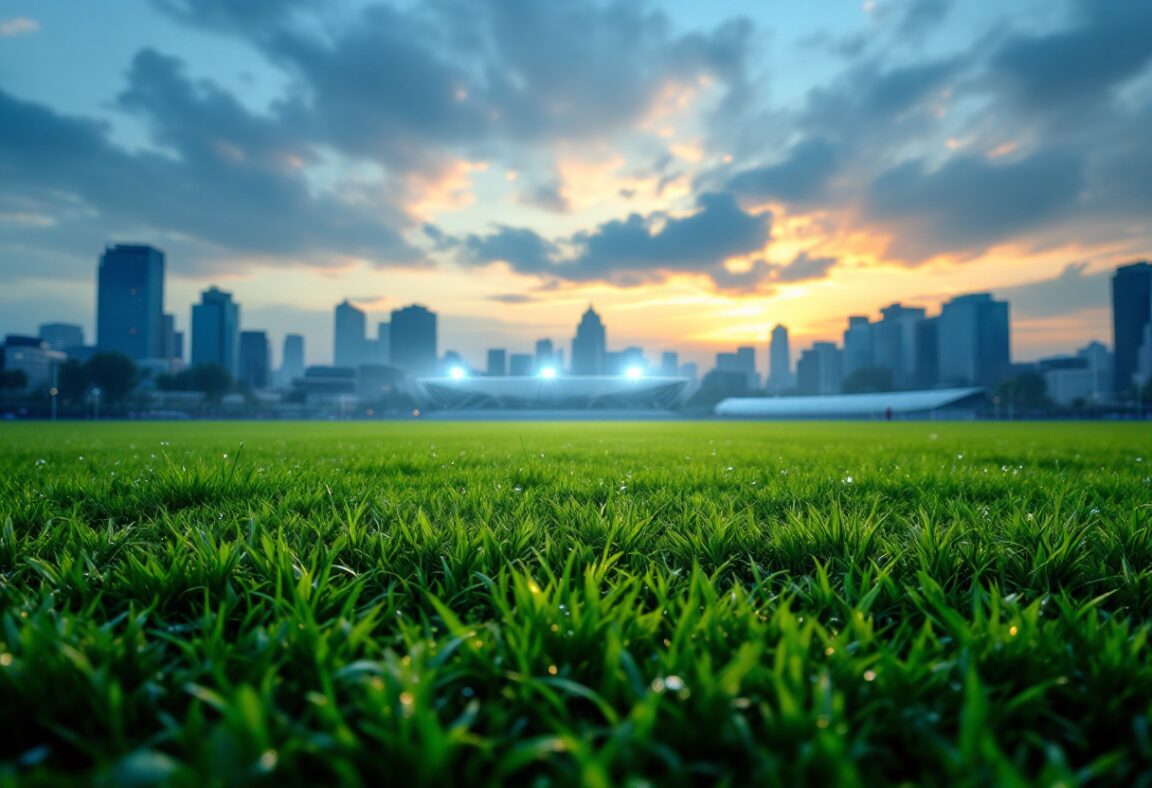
column 130, row 309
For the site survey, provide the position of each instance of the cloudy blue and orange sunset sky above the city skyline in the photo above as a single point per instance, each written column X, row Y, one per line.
column 698, row 171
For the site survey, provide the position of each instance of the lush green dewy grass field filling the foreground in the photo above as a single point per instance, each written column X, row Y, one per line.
column 577, row 603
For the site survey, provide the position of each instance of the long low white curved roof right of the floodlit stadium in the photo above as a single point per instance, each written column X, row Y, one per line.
column 852, row 406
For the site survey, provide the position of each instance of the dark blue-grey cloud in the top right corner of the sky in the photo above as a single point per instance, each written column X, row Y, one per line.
column 1081, row 66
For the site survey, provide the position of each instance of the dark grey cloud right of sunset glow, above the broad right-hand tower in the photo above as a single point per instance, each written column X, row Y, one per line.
column 971, row 202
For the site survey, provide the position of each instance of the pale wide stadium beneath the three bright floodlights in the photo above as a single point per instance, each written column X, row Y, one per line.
column 570, row 392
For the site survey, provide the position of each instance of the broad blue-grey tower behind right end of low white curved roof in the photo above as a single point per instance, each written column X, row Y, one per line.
column 974, row 342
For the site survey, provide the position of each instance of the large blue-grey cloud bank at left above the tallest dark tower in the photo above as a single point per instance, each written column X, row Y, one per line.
column 226, row 184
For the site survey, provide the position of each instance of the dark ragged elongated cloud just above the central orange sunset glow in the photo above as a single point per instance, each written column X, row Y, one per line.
column 634, row 251
